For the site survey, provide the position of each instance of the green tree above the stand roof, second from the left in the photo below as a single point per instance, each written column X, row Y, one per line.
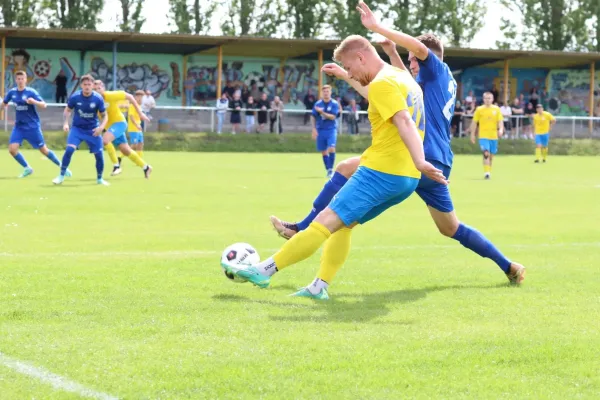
column 73, row 14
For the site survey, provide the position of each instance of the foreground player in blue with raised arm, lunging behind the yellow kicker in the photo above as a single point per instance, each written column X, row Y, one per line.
column 439, row 92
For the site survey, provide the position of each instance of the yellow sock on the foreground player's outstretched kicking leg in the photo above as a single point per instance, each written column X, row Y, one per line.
column 303, row 245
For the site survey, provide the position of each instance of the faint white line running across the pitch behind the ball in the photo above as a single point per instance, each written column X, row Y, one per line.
column 206, row 253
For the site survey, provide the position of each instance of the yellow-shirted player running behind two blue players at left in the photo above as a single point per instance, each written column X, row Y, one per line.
column 117, row 126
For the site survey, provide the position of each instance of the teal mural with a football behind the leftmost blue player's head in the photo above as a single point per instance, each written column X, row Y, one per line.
column 42, row 67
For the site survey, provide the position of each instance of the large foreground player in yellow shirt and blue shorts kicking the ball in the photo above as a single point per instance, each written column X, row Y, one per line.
column 389, row 169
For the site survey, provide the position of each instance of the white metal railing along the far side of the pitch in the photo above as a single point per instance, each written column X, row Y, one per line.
column 205, row 119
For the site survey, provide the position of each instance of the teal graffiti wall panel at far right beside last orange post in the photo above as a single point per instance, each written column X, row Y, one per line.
column 569, row 92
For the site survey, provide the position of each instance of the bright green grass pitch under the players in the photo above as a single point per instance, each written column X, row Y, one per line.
column 119, row 289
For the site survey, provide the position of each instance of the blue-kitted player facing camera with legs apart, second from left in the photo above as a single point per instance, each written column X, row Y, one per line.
column 86, row 105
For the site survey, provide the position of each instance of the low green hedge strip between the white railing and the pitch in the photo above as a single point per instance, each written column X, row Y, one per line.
column 302, row 143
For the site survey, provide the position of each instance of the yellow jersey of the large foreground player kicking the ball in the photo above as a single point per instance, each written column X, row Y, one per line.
column 391, row 91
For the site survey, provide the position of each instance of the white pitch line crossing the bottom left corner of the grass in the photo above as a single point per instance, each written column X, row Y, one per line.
column 57, row 381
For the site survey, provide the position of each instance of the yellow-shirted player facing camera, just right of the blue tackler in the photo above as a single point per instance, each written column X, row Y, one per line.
column 490, row 121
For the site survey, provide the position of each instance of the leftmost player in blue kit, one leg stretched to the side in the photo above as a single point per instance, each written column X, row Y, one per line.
column 27, row 123
